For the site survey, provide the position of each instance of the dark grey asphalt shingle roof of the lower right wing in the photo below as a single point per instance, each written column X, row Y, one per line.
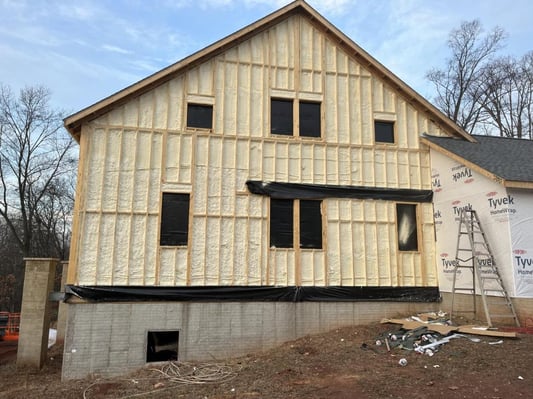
column 510, row 159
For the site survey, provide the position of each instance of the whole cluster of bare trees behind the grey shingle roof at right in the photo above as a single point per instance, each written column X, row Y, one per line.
column 482, row 91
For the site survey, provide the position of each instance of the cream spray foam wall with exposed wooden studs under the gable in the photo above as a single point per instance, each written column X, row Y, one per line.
column 141, row 149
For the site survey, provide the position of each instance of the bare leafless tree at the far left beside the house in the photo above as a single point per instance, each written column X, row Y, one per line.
column 35, row 156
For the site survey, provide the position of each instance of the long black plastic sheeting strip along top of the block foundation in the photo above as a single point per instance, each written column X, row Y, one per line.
column 254, row 294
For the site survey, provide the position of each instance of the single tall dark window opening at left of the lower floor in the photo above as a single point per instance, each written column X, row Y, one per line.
column 174, row 219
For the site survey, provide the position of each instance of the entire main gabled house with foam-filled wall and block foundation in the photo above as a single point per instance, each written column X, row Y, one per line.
column 269, row 186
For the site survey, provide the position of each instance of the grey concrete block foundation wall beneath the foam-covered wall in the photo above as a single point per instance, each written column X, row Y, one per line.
column 108, row 339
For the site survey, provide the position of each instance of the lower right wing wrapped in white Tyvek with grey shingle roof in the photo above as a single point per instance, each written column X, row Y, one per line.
column 493, row 176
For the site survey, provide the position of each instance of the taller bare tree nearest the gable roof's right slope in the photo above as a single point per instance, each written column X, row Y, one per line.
column 458, row 86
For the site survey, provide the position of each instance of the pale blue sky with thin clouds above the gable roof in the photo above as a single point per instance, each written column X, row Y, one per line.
column 86, row 50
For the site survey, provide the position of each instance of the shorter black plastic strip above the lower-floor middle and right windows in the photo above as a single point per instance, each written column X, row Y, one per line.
column 322, row 191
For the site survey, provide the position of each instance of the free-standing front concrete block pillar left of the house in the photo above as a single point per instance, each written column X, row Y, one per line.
column 35, row 312
